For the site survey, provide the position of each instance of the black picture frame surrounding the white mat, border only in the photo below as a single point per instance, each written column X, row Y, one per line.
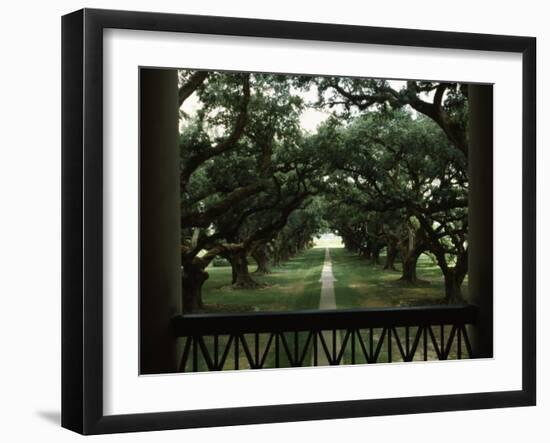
column 82, row 218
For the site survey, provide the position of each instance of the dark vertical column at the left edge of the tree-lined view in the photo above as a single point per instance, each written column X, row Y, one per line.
column 160, row 262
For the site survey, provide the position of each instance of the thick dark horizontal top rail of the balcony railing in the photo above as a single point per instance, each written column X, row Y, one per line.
column 241, row 323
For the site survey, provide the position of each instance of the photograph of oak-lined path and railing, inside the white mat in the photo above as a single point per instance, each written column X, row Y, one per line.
column 324, row 220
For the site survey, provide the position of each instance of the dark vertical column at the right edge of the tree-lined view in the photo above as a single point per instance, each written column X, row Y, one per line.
column 480, row 215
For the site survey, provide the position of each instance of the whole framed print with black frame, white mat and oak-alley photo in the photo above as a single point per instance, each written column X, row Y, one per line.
column 269, row 221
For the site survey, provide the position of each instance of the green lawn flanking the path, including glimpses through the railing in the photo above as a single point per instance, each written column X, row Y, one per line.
column 296, row 286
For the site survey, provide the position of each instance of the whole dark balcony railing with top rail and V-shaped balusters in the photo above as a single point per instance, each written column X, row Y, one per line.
column 214, row 342
